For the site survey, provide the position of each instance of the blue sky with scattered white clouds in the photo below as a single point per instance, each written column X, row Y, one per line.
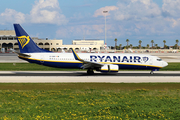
column 135, row 20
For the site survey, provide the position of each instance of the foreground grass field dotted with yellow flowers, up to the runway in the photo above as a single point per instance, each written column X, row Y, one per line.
column 89, row 102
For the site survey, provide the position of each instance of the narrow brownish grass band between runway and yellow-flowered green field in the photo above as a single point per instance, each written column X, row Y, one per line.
column 85, row 86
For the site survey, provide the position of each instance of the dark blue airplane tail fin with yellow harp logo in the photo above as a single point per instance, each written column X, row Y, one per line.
column 26, row 44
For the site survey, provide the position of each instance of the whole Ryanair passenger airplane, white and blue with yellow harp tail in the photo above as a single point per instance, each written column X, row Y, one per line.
column 103, row 62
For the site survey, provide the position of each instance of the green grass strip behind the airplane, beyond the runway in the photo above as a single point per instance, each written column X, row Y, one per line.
column 36, row 67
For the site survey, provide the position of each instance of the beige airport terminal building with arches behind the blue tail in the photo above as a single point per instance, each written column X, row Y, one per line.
column 8, row 41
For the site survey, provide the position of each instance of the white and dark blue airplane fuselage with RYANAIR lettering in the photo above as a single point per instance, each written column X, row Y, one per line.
column 124, row 61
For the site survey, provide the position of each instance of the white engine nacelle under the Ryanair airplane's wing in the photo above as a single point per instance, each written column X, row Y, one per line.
column 109, row 68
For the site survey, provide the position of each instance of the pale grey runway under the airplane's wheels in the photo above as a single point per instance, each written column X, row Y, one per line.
column 81, row 76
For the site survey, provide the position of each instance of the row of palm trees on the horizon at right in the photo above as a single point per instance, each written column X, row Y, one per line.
column 153, row 46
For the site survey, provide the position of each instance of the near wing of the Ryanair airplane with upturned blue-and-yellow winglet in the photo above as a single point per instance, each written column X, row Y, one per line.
column 87, row 64
